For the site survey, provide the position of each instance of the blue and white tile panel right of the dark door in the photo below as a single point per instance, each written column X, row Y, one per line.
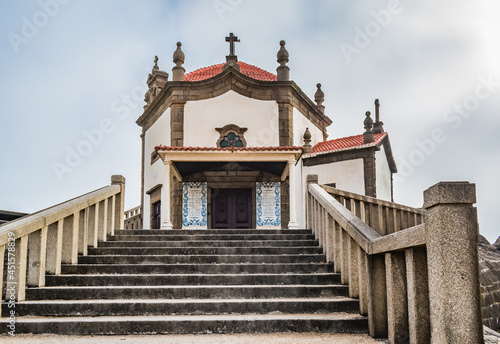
column 268, row 205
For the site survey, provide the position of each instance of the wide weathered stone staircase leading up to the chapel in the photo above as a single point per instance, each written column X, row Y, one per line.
column 194, row 281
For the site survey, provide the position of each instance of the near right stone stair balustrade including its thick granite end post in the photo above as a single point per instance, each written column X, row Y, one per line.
column 417, row 285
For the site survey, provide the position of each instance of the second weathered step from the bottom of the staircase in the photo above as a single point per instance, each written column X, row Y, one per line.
column 183, row 307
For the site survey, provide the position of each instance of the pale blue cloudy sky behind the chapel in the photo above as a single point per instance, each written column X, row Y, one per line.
column 73, row 78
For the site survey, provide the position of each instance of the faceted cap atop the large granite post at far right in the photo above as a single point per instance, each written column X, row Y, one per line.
column 450, row 193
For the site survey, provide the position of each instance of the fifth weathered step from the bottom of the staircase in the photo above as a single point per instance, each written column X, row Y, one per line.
column 196, row 268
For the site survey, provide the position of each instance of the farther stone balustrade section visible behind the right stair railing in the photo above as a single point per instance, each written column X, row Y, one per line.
column 383, row 216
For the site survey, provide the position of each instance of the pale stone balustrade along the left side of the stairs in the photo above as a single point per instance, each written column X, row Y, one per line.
column 39, row 243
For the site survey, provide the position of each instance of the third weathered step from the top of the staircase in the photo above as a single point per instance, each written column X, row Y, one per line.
column 211, row 243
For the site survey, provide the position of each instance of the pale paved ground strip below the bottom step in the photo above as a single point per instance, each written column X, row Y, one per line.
column 275, row 338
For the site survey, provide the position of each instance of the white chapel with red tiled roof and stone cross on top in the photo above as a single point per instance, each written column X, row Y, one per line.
column 230, row 146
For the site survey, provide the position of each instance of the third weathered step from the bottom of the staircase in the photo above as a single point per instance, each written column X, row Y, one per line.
column 186, row 292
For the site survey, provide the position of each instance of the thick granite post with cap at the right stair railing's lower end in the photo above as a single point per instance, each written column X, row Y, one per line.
column 453, row 265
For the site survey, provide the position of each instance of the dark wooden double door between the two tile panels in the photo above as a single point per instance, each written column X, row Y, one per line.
column 231, row 208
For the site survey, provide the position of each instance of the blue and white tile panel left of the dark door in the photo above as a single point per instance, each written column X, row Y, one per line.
column 194, row 205
